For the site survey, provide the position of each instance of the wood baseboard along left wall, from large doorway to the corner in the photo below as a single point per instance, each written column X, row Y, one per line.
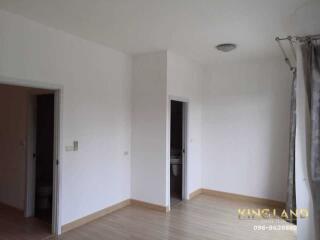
column 91, row 217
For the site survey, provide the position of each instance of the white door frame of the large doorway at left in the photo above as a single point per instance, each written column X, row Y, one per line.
column 57, row 148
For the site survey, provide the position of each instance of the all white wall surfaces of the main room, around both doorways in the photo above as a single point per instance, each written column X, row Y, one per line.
column 245, row 118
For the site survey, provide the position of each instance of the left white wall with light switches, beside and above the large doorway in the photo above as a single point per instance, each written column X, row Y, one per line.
column 96, row 108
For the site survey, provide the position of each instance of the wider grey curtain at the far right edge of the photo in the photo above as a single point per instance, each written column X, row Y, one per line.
column 311, row 62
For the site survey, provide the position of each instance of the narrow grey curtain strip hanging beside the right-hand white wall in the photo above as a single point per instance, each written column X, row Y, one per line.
column 291, row 191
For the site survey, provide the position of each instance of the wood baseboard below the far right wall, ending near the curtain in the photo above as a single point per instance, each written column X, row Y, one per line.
column 239, row 197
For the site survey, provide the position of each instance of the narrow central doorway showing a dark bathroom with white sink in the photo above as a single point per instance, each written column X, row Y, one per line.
column 177, row 151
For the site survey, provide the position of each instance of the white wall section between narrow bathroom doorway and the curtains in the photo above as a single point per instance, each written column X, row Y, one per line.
column 246, row 129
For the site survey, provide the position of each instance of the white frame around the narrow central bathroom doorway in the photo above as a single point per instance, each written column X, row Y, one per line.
column 185, row 121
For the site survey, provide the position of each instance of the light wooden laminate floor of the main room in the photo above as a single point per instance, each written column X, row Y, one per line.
column 204, row 217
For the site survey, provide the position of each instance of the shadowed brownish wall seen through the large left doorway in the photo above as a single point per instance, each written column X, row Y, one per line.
column 13, row 122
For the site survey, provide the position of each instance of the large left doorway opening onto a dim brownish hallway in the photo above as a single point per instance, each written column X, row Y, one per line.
column 30, row 130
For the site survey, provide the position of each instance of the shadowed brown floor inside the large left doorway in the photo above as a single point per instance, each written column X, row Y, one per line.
column 14, row 226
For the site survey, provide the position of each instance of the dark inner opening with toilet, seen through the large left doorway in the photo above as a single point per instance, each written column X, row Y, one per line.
column 44, row 156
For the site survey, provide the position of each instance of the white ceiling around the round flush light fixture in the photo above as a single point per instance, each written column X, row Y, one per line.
column 190, row 27
